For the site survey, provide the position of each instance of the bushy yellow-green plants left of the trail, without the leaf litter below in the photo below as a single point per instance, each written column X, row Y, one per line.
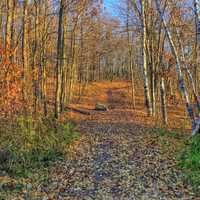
column 30, row 144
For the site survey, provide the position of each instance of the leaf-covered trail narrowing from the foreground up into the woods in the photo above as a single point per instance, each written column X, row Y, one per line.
column 116, row 159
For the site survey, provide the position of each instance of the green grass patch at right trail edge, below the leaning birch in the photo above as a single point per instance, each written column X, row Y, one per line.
column 186, row 151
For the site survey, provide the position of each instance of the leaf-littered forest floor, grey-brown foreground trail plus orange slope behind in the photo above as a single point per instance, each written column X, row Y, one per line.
column 121, row 155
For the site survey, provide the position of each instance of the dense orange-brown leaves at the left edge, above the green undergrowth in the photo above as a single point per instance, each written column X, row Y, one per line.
column 10, row 86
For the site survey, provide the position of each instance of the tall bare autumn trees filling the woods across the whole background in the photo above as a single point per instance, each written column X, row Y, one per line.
column 55, row 45
